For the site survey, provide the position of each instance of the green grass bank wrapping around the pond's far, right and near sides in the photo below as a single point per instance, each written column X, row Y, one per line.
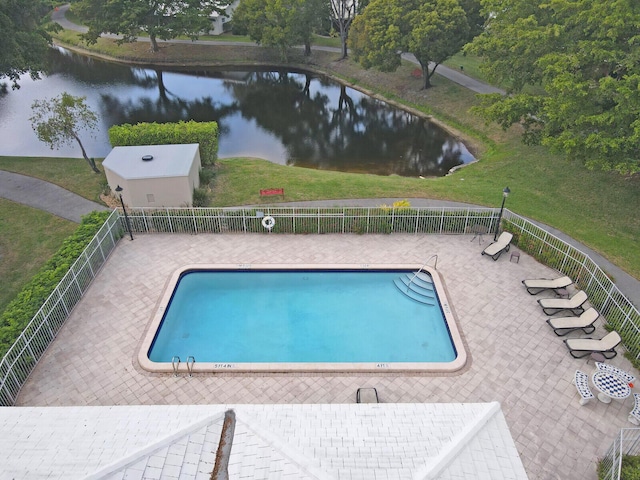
column 596, row 208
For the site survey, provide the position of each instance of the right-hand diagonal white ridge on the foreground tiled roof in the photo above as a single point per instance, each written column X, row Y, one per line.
column 434, row 467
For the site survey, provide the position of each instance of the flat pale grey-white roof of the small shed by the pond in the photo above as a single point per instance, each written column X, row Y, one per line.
column 168, row 160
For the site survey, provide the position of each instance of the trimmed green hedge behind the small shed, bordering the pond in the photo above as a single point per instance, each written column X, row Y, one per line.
column 203, row 133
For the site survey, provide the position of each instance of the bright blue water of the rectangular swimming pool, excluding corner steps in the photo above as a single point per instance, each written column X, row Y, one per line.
column 299, row 316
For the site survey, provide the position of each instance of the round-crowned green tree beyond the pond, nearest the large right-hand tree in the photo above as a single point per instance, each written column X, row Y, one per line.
column 432, row 30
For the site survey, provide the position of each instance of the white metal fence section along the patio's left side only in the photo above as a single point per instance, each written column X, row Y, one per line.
column 23, row 355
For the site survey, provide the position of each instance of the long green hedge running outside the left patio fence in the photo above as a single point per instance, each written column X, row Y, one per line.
column 23, row 308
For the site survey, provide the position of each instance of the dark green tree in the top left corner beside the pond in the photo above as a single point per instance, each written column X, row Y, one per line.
column 25, row 38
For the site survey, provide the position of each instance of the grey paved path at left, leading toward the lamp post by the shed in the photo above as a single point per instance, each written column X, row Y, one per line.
column 45, row 196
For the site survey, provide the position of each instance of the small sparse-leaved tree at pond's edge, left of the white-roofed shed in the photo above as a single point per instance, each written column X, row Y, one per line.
column 58, row 121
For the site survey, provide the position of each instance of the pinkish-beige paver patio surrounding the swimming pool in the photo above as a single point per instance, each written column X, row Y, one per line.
column 514, row 357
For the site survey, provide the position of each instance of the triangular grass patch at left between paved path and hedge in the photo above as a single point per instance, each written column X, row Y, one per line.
column 28, row 238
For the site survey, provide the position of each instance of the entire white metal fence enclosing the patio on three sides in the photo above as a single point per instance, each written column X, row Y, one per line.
column 618, row 311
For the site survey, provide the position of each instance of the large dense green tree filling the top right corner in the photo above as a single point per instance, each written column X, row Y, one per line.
column 583, row 56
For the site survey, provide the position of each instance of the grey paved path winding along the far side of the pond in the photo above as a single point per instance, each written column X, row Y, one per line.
column 452, row 74
